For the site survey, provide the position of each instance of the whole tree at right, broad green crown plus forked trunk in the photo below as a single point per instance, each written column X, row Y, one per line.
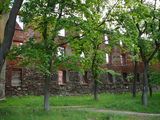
column 138, row 25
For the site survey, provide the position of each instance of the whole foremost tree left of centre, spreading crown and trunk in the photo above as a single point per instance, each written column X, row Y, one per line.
column 49, row 18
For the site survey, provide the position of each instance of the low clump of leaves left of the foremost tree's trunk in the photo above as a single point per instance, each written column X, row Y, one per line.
column 33, row 55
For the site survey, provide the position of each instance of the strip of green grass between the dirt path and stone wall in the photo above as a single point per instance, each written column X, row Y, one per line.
column 106, row 101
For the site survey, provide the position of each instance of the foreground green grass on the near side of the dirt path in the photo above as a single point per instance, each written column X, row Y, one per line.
column 18, row 113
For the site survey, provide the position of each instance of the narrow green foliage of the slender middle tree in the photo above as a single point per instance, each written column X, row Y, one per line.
column 92, row 40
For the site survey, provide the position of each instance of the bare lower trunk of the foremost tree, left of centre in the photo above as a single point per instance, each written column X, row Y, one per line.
column 46, row 93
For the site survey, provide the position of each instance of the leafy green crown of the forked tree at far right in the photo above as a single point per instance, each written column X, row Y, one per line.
column 136, row 25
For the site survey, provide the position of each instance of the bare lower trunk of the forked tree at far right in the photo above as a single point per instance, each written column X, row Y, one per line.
column 145, row 85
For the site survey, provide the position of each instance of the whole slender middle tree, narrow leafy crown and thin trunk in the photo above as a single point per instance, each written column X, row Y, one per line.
column 93, row 45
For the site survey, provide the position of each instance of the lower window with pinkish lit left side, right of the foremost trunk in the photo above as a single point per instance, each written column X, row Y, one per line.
column 61, row 77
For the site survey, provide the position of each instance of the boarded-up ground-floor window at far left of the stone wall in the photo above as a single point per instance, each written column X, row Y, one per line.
column 16, row 78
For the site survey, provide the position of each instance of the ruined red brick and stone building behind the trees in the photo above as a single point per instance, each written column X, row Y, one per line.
column 24, row 81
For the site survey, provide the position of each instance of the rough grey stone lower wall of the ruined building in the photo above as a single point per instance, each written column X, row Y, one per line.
column 33, row 82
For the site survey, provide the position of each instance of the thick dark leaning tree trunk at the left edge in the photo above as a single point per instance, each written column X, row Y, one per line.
column 9, row 31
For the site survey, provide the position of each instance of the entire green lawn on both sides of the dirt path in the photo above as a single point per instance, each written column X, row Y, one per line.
column 31, row 107
